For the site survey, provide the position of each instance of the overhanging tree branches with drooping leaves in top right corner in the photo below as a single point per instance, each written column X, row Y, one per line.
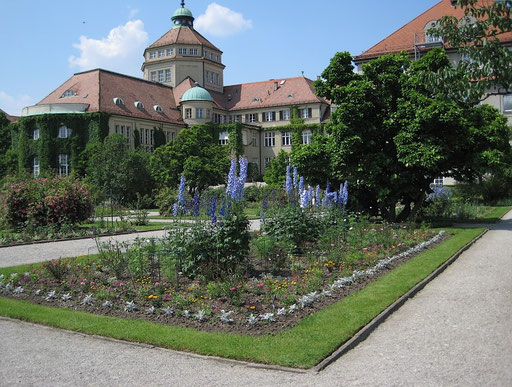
column 485, row 60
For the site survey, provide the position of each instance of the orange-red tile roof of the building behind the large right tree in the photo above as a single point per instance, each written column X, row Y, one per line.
column 404, row 38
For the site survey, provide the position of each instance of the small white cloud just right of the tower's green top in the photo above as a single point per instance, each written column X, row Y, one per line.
column 221, row 21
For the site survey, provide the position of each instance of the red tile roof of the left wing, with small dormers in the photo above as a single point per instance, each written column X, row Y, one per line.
column 98, row 88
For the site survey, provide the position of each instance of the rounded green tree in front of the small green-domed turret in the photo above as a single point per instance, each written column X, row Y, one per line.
column 193, row 153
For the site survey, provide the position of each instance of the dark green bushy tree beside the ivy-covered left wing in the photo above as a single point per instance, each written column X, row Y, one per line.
column 119, row 172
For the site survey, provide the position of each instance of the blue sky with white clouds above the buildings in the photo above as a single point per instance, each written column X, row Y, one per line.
column 43, row 43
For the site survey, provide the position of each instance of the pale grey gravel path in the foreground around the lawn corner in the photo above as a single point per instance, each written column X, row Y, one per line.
column 456, row 331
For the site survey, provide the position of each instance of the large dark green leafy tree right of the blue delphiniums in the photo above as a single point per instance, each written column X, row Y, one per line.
column 393, row 133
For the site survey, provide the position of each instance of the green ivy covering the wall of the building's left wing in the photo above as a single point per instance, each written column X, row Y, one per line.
column 86, row 129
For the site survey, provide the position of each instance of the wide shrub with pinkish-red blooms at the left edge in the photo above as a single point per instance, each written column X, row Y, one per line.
column 45, row 202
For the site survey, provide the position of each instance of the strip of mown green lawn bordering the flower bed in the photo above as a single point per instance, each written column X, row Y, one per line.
column 302, row 346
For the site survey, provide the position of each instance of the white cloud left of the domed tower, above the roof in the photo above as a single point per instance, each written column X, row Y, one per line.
column 120, row 51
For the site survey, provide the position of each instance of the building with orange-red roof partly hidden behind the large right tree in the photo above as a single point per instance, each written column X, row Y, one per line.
column 415, row 39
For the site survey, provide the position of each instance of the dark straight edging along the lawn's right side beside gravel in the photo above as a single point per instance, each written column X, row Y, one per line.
column 372, row 325
